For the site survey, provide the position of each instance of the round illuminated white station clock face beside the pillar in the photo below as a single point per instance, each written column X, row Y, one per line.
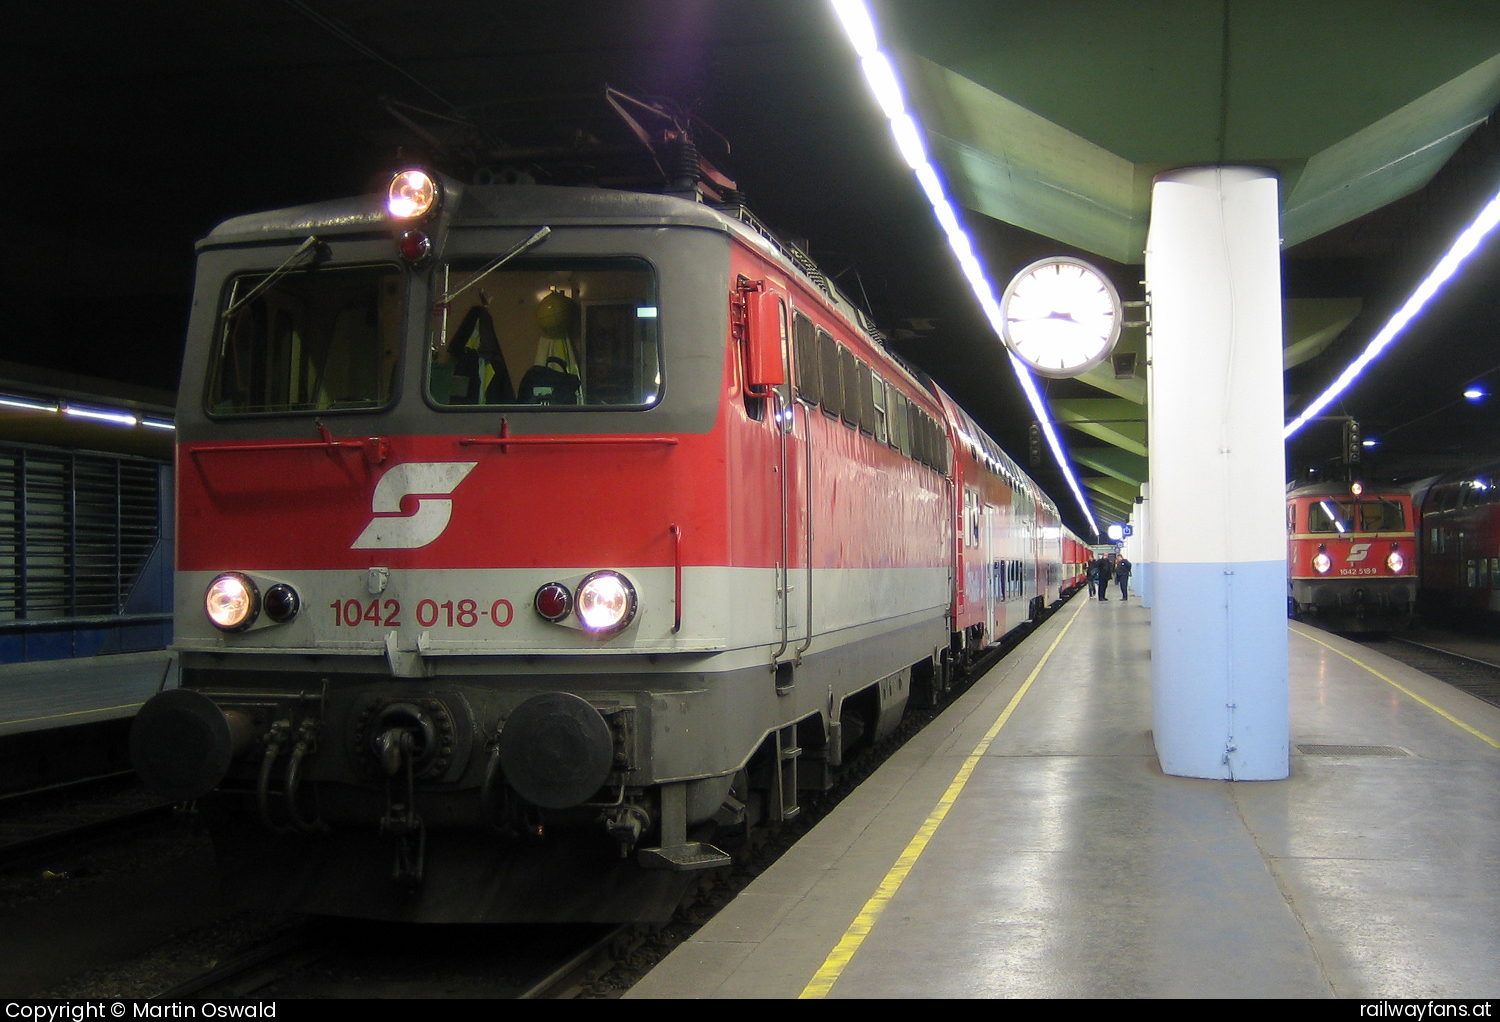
column 1061, row 317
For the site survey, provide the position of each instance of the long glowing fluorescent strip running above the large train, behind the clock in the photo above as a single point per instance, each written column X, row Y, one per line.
column 881, row 76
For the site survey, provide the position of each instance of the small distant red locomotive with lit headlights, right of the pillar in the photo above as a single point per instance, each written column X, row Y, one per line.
column 1352, row 558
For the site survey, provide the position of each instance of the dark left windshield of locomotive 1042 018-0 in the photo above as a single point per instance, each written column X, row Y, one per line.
column 310, row 340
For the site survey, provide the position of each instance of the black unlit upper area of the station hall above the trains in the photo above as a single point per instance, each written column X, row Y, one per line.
column 133, row 130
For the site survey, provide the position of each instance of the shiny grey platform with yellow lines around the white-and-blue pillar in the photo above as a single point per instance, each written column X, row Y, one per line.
column 1027, row 844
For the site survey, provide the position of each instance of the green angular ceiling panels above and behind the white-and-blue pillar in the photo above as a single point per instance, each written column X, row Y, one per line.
column 1057, row 116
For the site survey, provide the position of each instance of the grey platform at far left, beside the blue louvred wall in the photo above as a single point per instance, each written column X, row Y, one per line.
column 59, row 694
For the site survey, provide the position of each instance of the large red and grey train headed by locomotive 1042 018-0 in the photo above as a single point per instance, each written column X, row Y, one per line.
column 530, row 537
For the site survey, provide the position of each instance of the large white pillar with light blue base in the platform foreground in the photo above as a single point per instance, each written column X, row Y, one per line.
column 1216, row 410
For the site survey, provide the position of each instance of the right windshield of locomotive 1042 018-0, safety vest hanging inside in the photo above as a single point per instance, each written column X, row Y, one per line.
column 547, row 332
